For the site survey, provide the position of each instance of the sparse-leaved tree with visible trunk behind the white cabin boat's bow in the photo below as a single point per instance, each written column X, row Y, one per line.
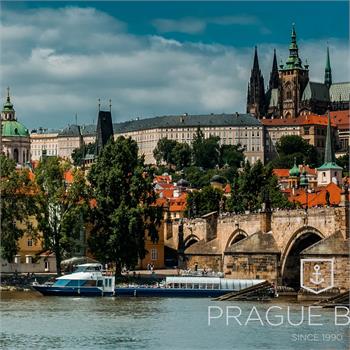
column 60, row 207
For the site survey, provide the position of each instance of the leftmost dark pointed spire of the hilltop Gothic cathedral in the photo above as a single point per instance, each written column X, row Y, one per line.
column 256, row 92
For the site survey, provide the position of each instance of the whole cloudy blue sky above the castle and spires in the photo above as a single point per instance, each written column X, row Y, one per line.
column 155, row 58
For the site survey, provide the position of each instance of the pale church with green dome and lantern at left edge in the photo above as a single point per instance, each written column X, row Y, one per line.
column 14, row 136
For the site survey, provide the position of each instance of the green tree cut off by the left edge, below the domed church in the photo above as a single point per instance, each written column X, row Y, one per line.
column 16, row 207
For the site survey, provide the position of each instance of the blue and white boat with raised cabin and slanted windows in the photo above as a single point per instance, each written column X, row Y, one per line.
column 87, row 280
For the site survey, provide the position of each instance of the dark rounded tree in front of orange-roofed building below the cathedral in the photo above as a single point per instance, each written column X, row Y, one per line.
column 293, row 146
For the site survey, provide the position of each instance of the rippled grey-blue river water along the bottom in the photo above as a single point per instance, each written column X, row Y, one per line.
column 31, row 321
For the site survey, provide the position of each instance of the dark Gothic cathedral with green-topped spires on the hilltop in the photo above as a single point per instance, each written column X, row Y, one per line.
column 290, row 92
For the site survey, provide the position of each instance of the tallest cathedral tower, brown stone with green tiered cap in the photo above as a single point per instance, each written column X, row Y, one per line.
column 293, row 77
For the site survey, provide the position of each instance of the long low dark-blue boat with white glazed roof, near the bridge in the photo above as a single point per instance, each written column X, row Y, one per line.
column 188, row 286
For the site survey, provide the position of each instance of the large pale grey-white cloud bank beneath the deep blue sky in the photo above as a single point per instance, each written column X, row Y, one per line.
column 59, row 62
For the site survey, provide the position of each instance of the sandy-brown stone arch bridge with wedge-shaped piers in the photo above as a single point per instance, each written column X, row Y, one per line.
column 258, row 245
